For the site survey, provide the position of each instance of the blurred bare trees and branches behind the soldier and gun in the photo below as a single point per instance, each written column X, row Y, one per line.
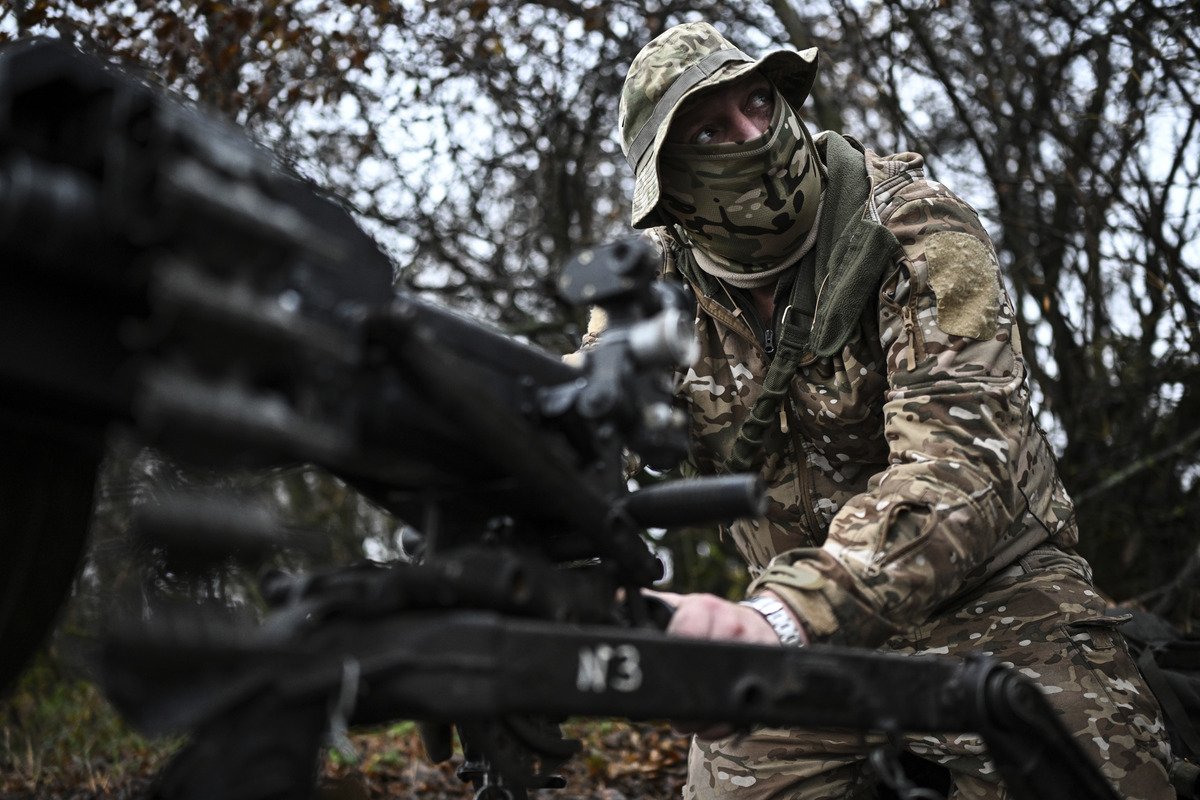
column 476, row 141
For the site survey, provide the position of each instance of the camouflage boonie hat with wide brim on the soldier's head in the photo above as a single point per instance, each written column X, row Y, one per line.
column 671, row 69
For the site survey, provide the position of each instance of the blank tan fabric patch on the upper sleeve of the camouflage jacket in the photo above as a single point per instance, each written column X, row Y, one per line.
column 965, row 279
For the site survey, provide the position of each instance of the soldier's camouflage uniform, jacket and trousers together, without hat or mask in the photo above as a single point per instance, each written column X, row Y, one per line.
column 905, row 477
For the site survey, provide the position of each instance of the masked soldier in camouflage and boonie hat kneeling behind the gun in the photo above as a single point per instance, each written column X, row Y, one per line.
column 860, row 353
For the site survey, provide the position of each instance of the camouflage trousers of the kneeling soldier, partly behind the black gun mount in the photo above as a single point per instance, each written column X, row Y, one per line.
column 1041, row 617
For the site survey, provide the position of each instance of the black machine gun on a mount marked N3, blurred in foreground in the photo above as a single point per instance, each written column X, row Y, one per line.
column 164, row 275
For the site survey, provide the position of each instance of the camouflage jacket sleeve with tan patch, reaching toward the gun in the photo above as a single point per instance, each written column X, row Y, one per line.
column 938, row 520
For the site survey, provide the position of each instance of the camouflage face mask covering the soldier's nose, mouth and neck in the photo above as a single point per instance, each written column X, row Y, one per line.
column 748, row 207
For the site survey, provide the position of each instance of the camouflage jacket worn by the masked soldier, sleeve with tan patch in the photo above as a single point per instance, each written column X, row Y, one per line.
column 907, row 470
